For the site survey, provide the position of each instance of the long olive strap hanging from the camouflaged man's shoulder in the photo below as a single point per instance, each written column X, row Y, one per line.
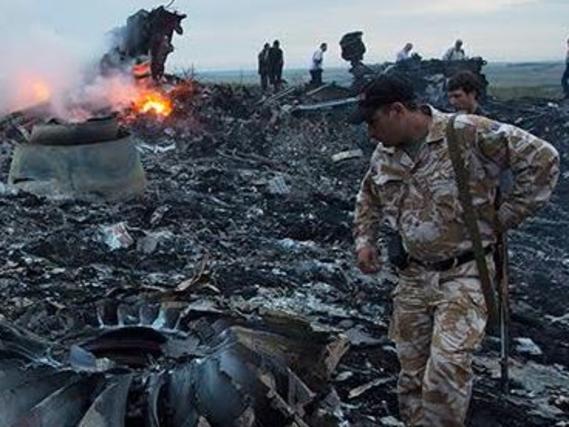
column 458, row 153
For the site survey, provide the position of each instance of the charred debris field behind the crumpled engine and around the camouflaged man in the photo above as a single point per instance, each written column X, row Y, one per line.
column 246, row 208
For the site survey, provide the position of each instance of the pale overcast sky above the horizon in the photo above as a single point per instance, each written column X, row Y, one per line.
column 226, row 34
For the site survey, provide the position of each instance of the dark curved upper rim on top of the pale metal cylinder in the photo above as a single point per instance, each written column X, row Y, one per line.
column 89, row 132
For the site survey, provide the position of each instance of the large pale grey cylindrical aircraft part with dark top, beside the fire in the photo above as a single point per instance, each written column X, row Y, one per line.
column 91, row 161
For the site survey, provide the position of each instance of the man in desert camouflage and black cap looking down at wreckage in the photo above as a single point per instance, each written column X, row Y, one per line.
column 439, row 313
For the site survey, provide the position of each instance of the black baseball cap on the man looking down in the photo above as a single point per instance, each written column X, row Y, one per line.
column 385, row 90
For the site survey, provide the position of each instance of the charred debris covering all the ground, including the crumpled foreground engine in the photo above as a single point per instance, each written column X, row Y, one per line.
column 243, row 234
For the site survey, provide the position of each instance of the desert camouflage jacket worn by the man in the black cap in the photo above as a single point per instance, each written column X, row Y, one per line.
column 419, row 198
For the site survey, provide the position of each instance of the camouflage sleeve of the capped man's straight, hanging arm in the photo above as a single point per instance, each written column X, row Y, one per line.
column 368, row 213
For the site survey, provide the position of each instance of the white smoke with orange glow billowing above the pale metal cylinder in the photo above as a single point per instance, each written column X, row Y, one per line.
column 39, row 66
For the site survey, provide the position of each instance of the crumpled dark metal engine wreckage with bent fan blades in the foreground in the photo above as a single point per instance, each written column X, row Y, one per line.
column 202, row 370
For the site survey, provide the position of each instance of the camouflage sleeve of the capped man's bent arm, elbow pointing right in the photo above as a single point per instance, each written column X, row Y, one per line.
column 534, row 164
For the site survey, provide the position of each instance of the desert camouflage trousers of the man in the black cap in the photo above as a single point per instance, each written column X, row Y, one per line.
column 439, row 319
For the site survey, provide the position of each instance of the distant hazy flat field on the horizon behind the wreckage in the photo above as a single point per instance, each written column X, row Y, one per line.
column 507, row 80
